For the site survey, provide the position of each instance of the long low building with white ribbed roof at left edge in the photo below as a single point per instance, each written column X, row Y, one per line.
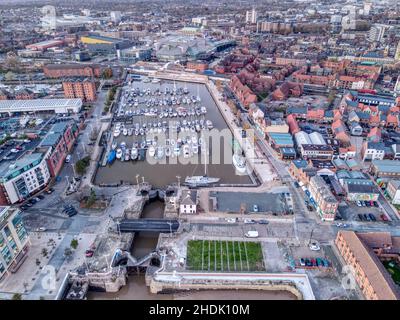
column 41, row 105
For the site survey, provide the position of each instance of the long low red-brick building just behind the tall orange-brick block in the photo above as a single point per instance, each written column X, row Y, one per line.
column 71, row 70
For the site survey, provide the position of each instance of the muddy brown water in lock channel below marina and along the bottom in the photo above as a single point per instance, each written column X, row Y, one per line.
column 136, row 288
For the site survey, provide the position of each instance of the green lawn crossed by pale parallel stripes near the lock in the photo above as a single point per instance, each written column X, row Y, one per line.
column 219, row 255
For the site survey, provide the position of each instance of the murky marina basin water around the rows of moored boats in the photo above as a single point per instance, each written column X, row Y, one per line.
column 159, row 174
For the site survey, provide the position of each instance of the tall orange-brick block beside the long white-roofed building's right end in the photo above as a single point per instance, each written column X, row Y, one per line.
column 80, row 88
